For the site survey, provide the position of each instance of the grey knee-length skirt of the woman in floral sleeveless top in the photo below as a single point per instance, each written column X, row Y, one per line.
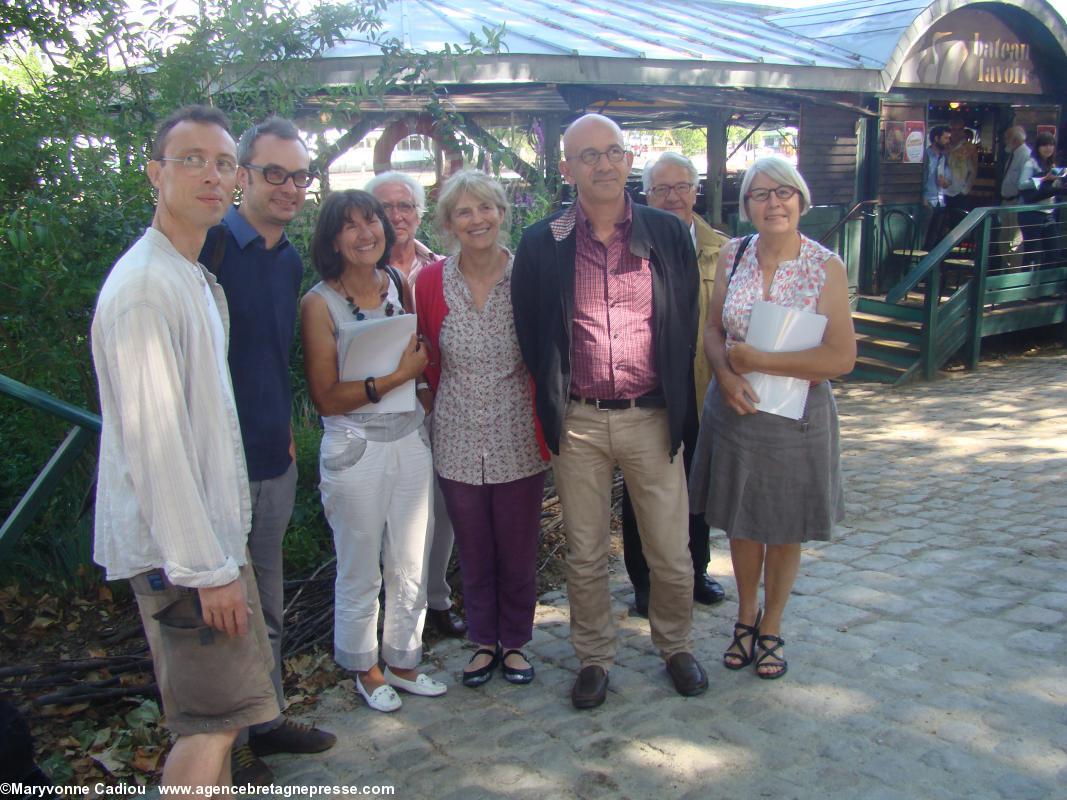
column 768, row 478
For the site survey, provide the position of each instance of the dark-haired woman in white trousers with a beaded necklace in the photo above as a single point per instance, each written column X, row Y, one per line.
column 376, row 469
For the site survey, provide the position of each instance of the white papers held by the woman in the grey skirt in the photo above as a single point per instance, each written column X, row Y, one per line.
column 778, row 330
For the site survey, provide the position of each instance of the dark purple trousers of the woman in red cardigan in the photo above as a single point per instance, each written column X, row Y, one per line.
column 498, row 527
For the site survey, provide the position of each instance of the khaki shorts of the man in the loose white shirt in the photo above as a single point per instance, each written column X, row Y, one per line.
column 210, row 682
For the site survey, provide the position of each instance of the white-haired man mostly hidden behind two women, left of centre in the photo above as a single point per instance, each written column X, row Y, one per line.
column 405, row 203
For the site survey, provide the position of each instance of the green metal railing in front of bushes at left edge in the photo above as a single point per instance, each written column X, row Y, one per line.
column 87, row 426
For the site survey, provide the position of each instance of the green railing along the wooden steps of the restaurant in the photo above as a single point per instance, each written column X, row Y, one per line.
column 962, row 318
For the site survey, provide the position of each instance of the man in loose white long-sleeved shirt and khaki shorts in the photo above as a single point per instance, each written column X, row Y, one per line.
column 173, row 509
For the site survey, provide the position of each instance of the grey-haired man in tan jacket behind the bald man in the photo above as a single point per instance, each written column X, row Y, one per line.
column 671, row 185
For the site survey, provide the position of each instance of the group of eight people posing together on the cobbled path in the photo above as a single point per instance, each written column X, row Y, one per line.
column 613, row 337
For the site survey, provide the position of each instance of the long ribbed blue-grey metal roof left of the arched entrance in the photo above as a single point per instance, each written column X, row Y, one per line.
column 665, row 30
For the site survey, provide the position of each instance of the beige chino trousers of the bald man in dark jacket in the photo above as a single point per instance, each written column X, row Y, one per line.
column 593, row 442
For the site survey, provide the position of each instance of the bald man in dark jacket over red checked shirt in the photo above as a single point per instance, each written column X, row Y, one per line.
column 606, row 305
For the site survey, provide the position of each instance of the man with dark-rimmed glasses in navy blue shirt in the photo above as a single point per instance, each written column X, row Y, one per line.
column 261, row 273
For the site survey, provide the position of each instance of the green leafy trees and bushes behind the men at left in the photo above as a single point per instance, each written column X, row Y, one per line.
column 83, row 85
